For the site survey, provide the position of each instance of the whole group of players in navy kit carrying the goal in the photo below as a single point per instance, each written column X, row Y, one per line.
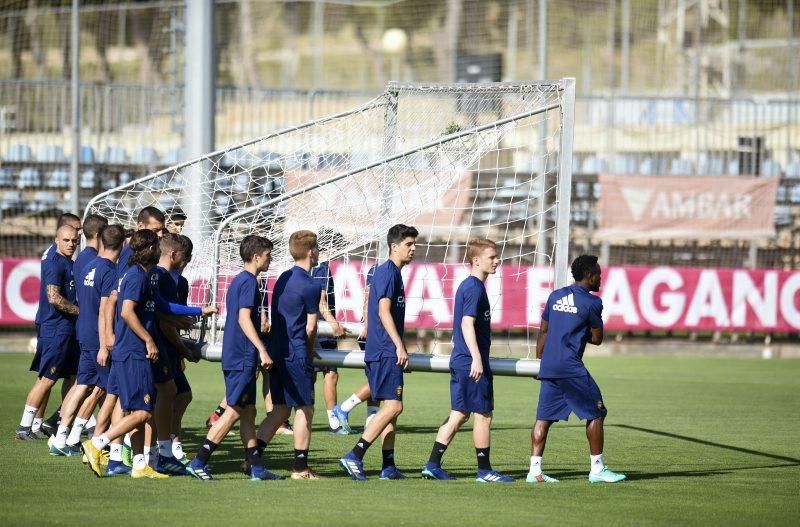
column 118, row 332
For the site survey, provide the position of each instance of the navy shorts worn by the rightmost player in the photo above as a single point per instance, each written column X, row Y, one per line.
column 559, row 397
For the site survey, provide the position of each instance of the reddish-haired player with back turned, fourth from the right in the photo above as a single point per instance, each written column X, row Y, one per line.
column 295, row 310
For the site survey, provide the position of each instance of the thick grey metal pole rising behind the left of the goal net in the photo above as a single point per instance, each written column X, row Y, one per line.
column 199, row 111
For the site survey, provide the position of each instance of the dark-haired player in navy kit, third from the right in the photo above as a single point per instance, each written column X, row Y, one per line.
column 386, row 356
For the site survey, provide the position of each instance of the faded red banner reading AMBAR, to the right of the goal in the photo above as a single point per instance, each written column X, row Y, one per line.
column 686, row 207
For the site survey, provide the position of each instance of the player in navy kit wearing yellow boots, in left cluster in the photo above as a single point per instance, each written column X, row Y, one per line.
column 134, row 350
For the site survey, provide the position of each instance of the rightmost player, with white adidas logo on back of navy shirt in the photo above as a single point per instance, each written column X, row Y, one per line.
column 571, row 318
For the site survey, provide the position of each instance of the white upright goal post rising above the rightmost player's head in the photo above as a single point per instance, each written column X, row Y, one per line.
column 564, row 186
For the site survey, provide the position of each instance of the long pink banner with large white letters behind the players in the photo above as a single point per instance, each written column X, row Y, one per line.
column 634, row 298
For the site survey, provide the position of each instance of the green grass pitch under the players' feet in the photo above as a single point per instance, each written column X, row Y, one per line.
column 703, row 441
